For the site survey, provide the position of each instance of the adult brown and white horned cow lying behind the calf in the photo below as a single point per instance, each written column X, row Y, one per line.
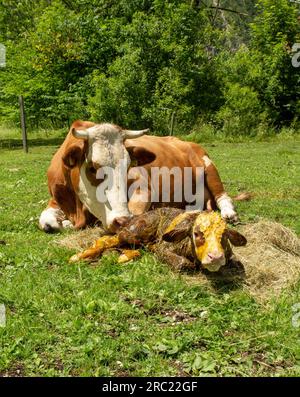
column 73, row 176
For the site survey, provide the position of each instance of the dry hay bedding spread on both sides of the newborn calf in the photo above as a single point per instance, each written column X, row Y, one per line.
column 267, row 264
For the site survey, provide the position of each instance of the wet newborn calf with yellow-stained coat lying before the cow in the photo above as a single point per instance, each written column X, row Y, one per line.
column 182, row 239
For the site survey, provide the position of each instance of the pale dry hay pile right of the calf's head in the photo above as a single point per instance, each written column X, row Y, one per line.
column 271, row 258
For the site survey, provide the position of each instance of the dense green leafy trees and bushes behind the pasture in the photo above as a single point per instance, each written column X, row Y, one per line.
column 143, row 63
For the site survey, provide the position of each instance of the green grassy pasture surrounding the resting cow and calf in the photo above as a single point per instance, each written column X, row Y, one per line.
column 139, row 319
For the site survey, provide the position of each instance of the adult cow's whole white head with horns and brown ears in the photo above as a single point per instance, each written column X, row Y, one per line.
column 97, row 148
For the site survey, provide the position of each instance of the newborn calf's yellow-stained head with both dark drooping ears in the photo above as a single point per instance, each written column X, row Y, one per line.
column 210, row 236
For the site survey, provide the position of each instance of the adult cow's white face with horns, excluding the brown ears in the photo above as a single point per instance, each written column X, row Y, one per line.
column 106, row 152
